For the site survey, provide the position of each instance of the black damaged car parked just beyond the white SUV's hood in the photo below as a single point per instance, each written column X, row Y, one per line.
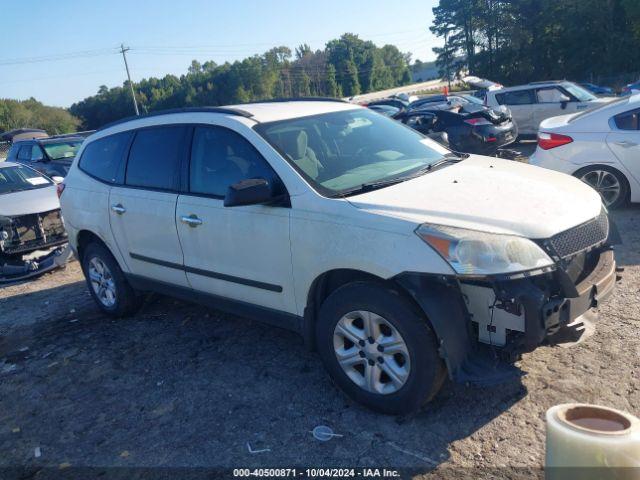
column 469, row 127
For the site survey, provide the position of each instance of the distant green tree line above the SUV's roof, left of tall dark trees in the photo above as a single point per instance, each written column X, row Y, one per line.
column 347, row 66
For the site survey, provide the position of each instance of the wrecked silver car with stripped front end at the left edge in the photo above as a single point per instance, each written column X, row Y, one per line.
column 33, row 239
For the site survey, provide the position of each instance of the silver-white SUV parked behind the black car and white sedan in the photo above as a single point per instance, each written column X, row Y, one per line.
column 531, row 104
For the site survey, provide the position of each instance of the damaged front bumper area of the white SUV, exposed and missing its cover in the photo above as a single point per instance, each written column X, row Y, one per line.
column 486, row 324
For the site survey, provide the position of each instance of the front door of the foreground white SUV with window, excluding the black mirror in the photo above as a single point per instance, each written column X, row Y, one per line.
column 241, row 252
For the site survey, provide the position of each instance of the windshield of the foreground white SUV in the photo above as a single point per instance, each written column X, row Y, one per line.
column 339, row 151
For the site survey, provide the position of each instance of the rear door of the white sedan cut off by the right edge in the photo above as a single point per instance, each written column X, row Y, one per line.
column 624, row 140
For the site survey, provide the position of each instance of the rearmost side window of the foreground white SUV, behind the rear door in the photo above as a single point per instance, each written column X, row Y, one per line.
column 101, row 158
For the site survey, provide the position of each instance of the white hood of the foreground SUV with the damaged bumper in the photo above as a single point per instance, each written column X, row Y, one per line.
column 488, row 194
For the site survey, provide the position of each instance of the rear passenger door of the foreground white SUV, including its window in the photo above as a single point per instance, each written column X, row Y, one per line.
column 142, row 211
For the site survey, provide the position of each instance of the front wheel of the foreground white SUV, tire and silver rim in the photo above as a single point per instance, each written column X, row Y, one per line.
column 417, row 369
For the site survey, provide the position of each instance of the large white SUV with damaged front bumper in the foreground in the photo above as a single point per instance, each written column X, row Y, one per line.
column 397, row 259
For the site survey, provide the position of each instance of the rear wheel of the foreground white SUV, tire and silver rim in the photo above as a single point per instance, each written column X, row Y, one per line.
column 118, row 299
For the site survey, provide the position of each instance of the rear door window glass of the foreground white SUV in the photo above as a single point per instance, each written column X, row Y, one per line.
column 155, row 156
